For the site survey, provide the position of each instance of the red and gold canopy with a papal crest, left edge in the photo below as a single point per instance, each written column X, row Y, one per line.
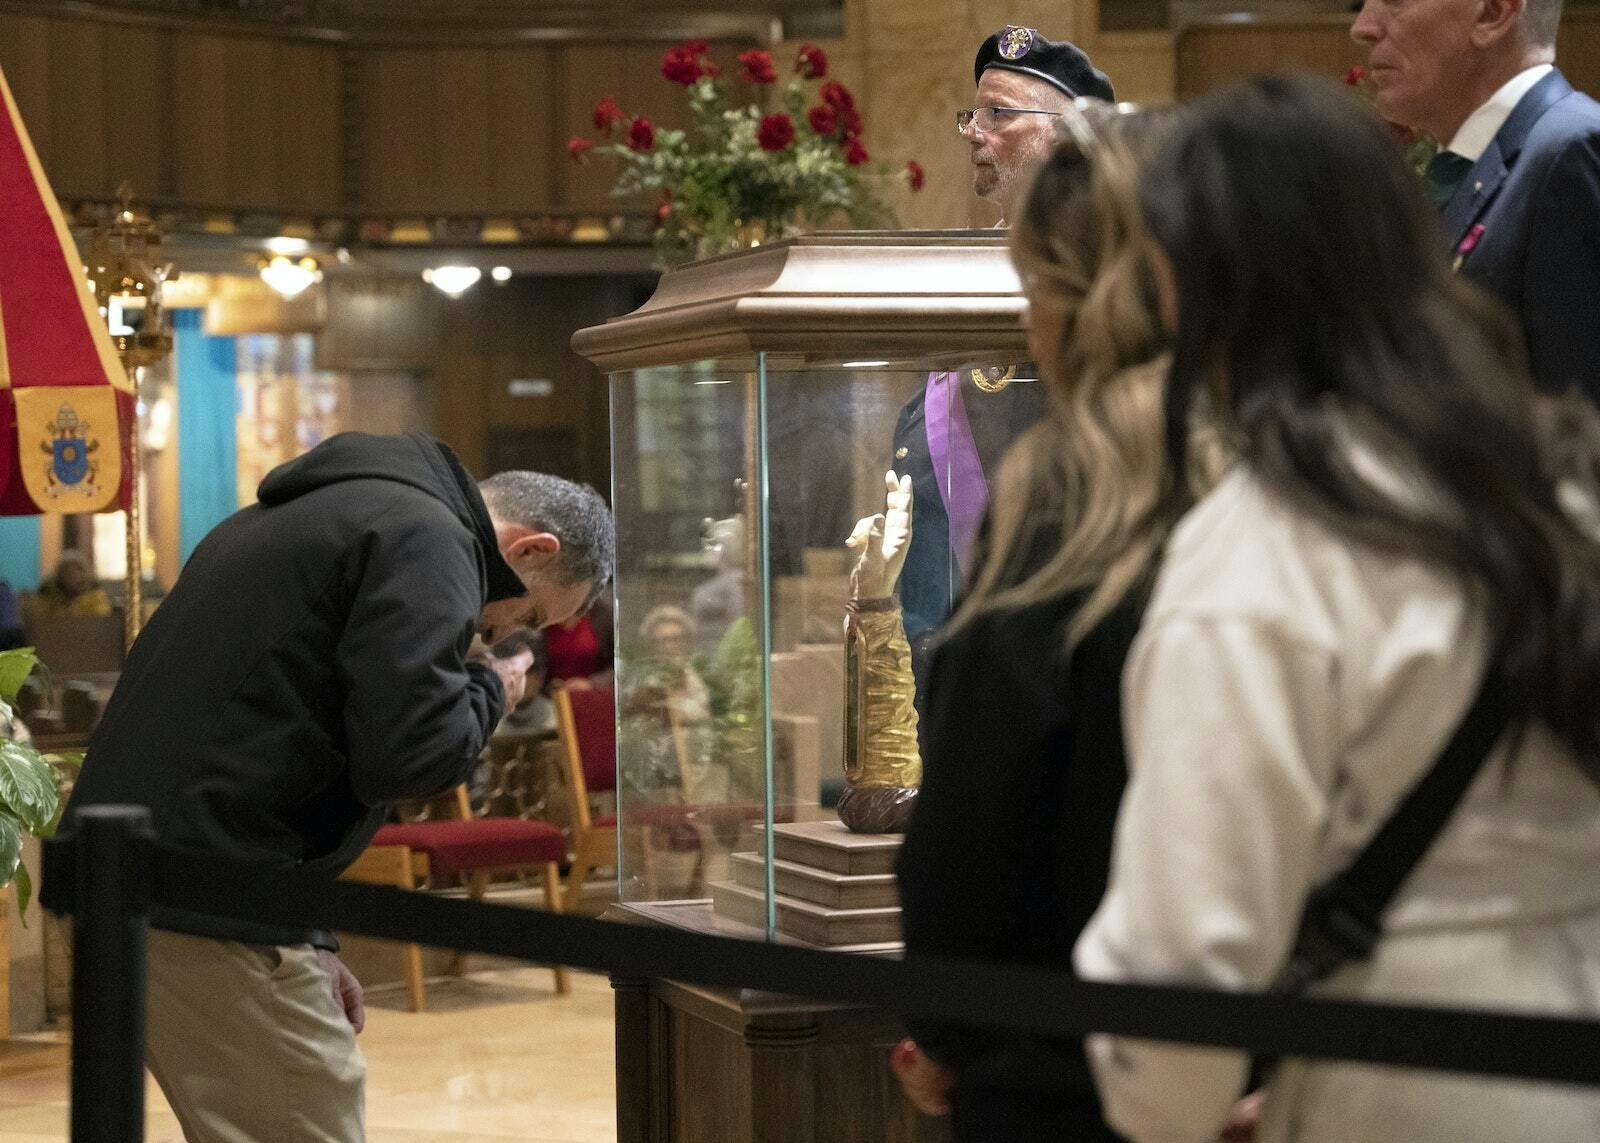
column 66, row 404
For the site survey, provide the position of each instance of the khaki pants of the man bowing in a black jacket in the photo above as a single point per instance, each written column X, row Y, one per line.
column 250, row 1045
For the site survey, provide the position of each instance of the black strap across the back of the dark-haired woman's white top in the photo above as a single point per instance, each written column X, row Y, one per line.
column 1343, row 920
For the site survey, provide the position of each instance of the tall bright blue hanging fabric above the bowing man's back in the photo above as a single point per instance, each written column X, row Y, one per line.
column 207, row 452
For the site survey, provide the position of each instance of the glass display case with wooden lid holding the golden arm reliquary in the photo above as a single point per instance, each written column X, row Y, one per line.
column 772, row 617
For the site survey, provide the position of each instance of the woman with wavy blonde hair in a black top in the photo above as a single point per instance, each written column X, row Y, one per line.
column 1007, row 852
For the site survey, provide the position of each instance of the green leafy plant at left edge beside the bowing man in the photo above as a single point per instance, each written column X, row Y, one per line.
column 30, row 779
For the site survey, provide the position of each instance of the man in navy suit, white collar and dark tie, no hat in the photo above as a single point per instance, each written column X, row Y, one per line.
column 1519, row 178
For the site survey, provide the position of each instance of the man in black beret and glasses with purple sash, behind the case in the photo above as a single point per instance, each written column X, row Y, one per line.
column 951, row 436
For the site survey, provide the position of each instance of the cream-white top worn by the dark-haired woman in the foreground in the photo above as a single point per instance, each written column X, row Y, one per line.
column 1286, row 691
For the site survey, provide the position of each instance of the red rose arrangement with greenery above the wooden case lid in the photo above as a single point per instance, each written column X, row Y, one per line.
column 745, row 174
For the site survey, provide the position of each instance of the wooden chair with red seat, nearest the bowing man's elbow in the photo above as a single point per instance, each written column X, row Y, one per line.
column 473, row 848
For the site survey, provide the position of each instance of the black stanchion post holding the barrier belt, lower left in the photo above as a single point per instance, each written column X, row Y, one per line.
column 113, row 865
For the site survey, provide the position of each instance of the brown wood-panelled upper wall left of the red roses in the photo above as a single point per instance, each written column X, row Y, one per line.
column 249, row 121
